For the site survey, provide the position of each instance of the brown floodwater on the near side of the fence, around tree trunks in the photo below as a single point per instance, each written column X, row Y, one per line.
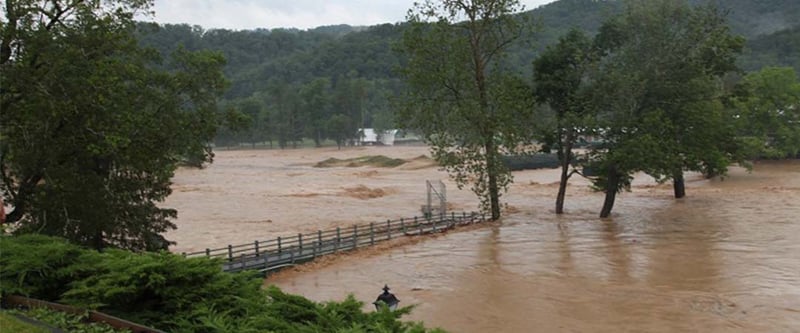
column 726, row 258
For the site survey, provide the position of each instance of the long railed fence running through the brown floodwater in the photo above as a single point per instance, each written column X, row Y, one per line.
column 285, row 251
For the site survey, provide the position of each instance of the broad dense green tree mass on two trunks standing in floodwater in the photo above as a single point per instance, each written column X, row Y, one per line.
column 662, row 71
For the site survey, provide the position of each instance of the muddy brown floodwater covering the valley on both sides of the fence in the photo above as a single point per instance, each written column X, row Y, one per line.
column 726, row 258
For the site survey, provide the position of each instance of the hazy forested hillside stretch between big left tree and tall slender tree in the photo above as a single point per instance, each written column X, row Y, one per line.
column 290, row 85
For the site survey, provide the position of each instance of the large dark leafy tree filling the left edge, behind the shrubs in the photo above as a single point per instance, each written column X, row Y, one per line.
column 91, row 129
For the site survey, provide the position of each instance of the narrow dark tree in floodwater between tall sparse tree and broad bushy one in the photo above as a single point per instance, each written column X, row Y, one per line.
column 561, row 78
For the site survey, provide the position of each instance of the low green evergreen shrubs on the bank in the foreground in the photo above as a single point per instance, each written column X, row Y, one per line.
column 173, row 293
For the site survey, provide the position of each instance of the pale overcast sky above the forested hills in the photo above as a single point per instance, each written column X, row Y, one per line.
column 301, row 14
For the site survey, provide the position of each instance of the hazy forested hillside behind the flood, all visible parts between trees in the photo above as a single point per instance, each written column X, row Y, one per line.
column 327, row 82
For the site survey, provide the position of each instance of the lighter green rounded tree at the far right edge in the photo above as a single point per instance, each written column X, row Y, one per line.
column 768, row 115
